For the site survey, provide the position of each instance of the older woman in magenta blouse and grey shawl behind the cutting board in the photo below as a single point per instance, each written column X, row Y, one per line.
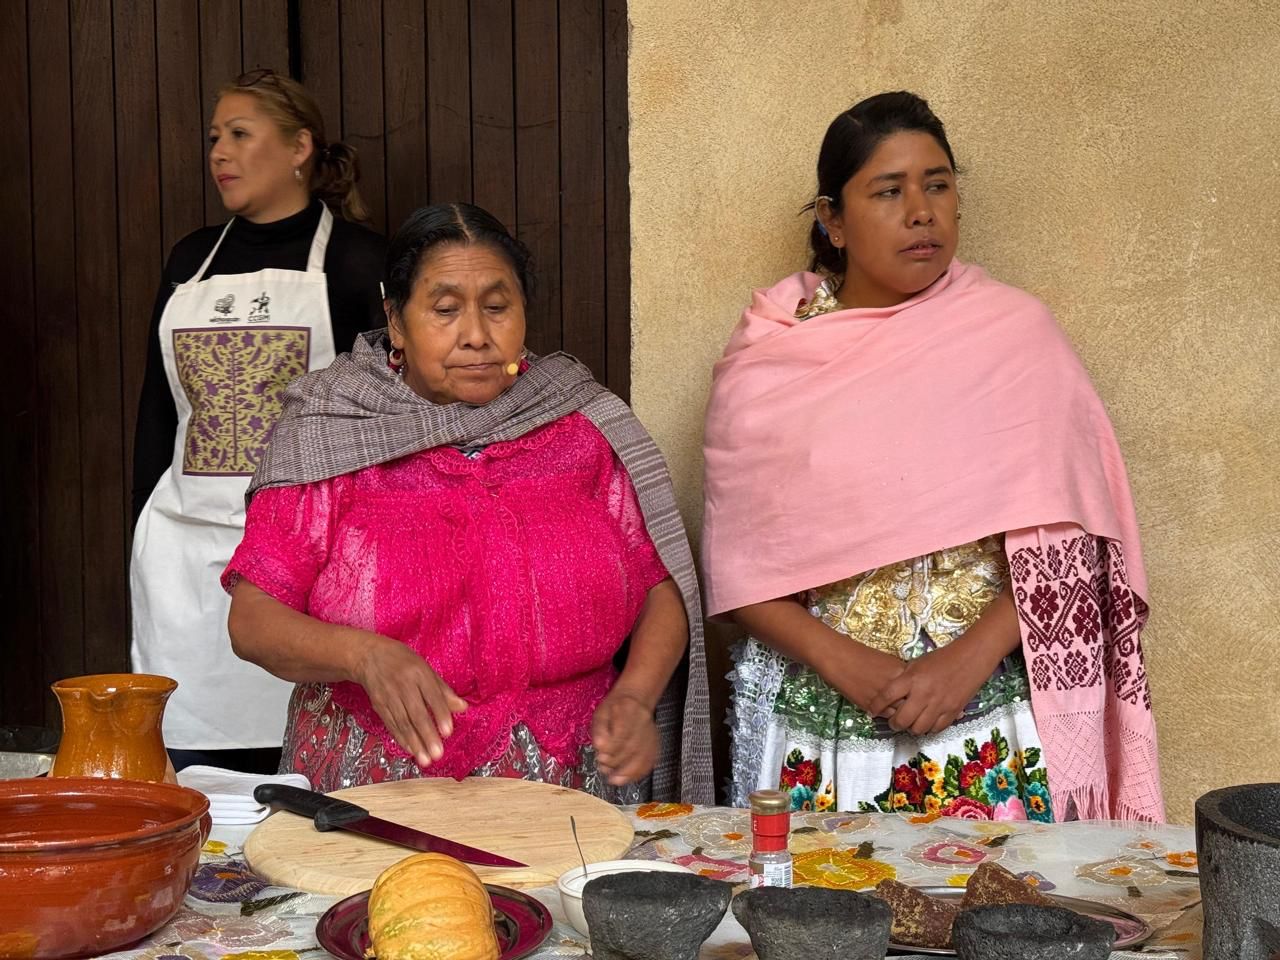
column 447, row 552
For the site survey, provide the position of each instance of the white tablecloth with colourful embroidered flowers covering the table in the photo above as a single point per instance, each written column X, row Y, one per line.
column 232, row 915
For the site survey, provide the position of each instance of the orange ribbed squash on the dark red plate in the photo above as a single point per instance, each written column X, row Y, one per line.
column 431, row 907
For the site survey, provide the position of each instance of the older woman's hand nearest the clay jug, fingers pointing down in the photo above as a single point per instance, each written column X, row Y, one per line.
column 415, row 705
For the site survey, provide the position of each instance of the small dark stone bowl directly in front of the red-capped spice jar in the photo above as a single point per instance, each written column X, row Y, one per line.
column 811, row 924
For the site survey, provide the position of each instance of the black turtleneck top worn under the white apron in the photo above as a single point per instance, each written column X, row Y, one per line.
column 354, row 269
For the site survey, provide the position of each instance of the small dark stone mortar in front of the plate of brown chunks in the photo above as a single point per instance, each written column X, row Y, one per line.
column 1022, row 932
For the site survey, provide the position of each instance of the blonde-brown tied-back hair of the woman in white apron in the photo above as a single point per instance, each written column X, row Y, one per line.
column 333, row 170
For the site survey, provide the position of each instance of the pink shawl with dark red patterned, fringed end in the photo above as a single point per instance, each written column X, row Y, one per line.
column 866, row 437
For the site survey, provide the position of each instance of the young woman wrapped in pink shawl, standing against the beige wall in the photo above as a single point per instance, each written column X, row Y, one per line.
column 917, row 509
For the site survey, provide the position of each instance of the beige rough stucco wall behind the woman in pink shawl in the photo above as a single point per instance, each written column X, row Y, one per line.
column 1123, row 163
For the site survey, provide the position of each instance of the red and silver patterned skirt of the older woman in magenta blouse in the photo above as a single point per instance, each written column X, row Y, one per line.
column 326, row 743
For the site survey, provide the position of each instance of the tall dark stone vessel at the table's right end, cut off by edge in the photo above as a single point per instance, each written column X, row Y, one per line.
column 1238, row 842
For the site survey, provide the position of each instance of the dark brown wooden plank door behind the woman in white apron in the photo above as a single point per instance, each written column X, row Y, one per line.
column 516, row 106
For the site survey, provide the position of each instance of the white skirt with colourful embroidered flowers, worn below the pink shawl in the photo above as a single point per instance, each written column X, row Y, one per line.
column 794, row 733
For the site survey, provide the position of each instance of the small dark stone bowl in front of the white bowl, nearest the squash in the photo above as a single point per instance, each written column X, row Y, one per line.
column 653, row 916
